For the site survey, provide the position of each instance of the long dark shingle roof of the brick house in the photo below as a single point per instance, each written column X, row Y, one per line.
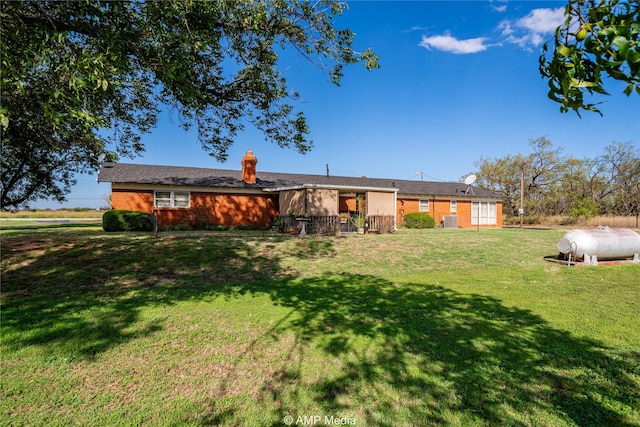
column 204, row 177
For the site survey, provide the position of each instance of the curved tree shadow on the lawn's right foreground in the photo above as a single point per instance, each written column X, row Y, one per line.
column 427, row 355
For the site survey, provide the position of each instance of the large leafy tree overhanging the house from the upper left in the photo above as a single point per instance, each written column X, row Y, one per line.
column 82, row 78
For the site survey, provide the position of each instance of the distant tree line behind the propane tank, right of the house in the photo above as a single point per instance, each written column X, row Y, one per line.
column 555, row 184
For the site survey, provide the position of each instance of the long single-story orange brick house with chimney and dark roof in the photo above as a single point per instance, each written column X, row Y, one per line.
column 247, row 197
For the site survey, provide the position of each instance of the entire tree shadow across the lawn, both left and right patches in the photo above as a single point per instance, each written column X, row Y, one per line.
column 402, row 353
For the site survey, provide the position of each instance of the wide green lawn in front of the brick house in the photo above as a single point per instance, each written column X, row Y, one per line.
column 433, row 327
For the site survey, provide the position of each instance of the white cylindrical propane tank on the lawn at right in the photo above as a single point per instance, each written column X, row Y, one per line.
column 600, row 244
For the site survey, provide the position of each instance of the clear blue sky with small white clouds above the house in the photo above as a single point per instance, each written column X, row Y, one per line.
column 458, row 80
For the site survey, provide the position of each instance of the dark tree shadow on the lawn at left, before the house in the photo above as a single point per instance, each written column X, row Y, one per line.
column 74, row 297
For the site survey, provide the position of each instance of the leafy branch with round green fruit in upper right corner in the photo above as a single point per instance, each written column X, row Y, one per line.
column 599, row 39
